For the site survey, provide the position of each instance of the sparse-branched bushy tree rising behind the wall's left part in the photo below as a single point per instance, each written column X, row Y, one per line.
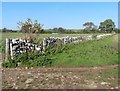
column 29, row 26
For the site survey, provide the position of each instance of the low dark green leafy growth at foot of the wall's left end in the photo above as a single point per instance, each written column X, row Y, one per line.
column 32, row 59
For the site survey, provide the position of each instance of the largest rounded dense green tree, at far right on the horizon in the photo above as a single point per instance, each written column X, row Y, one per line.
column 108, row 25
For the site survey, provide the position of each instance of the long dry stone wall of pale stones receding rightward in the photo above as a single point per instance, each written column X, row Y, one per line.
column 18, row 46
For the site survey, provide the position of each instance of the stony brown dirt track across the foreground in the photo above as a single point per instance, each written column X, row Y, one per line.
column 57, row 78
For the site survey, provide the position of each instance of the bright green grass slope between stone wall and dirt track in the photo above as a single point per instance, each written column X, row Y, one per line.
column 88, row 53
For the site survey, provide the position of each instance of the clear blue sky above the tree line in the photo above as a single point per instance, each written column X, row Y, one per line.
column 69, row 15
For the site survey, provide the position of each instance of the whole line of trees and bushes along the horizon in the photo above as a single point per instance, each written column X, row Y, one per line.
column 30, row 26
